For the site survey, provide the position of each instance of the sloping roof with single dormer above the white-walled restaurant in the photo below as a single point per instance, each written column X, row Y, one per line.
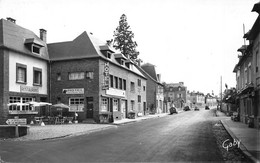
column 15, row 37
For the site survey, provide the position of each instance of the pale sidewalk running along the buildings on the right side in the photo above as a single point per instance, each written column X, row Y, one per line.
column 249, row 137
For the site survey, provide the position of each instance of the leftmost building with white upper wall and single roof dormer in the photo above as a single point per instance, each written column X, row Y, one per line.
column 24, row 70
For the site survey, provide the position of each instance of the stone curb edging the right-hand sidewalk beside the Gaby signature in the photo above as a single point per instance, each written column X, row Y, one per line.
column 242, row 147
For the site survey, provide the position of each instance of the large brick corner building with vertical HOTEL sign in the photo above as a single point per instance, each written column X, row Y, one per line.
column 94, row 80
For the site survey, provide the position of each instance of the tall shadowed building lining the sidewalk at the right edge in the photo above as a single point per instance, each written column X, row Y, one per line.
column 248, row 75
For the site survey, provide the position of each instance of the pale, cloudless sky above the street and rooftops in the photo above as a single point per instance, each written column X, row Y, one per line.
column 190, row 41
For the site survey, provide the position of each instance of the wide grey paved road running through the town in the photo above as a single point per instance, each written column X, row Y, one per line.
column 180, row 137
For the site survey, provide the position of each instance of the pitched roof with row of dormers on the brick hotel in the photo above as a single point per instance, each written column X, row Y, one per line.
column 84, row 46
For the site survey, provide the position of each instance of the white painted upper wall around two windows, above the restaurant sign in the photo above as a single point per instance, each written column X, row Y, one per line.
column 30, row 62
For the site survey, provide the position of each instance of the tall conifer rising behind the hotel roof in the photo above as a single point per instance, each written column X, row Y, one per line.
column 123, row 39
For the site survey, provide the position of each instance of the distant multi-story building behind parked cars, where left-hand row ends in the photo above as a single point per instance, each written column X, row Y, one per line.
column 176, row 93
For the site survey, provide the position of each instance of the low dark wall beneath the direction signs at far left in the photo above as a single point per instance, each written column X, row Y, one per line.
column 7, row 131
